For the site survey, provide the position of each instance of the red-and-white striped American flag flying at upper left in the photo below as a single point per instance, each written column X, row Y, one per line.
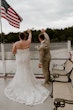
column 10, row 15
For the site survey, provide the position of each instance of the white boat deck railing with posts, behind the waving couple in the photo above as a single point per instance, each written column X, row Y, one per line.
column 7, row 63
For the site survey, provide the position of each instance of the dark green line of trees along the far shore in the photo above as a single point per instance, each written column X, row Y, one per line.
column 56, row 35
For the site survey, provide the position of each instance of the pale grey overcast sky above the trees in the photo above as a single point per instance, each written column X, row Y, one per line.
column 39, row 14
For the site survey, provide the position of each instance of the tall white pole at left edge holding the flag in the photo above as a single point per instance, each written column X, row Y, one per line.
column 2, row 46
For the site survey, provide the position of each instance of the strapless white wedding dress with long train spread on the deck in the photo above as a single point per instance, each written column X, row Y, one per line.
column 24, row 87
